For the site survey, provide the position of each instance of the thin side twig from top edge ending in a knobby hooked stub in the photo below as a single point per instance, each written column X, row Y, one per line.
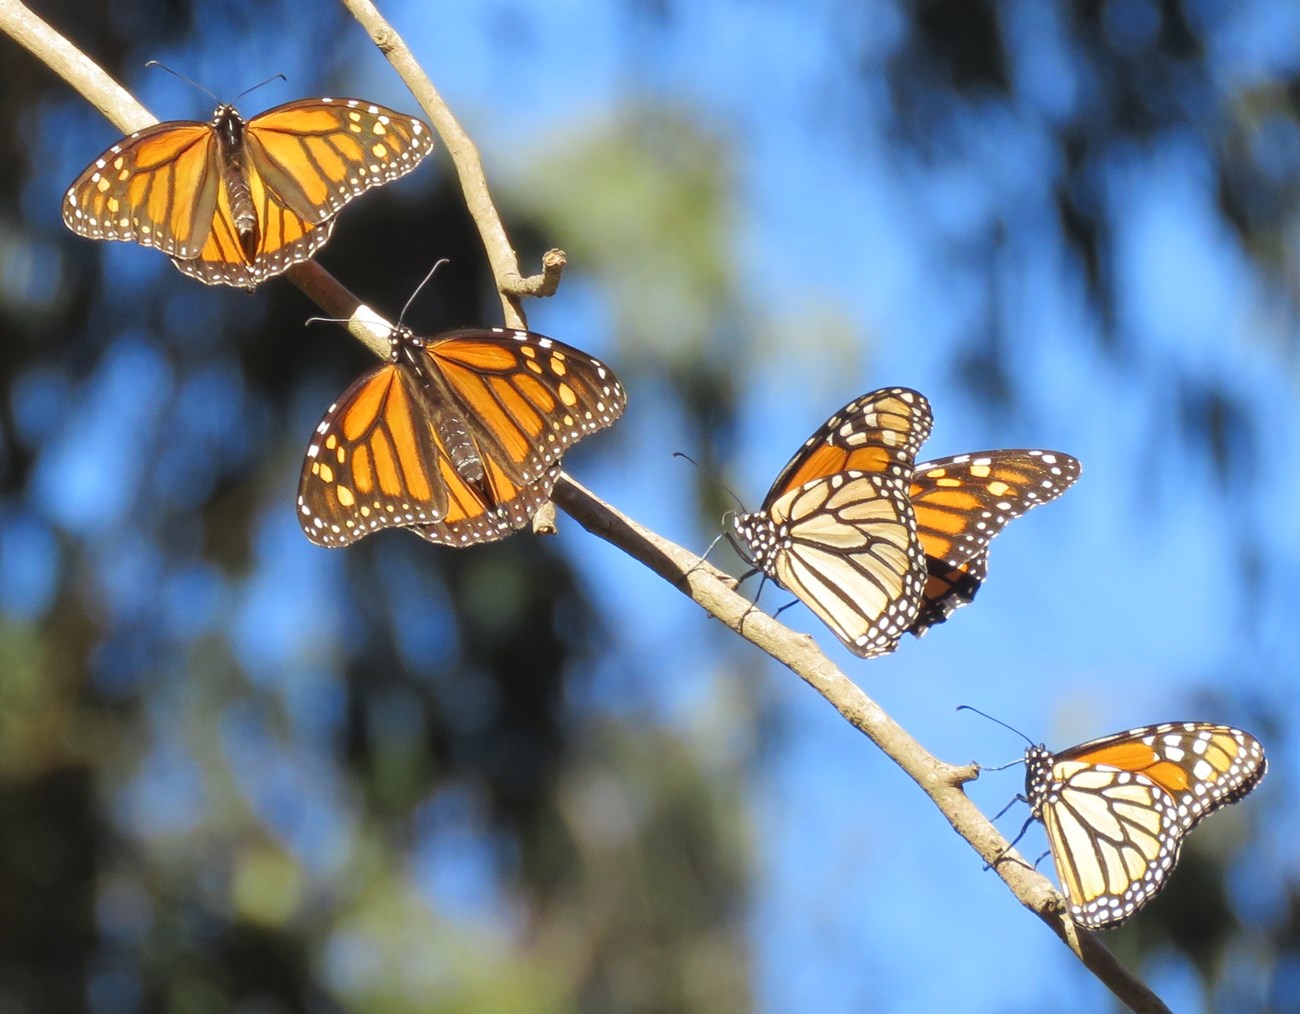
column 505, row 263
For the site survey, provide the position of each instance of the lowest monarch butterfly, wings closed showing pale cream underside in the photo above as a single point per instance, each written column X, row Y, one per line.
column 1116, row 809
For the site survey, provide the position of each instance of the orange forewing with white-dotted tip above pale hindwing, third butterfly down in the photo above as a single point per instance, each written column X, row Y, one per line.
column 879, row 434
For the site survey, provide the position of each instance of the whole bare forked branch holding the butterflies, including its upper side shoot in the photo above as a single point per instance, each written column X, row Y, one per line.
column 708, row 587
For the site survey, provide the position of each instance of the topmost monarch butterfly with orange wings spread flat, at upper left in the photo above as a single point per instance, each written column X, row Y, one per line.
column 236, row 202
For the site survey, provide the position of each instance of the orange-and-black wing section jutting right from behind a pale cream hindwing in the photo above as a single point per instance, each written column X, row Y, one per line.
column 963, row 502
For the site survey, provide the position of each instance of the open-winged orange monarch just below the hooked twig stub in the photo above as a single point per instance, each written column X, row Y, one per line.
column 457, row 437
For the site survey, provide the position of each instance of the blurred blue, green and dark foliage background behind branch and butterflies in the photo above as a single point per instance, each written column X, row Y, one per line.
column 241, row 773
